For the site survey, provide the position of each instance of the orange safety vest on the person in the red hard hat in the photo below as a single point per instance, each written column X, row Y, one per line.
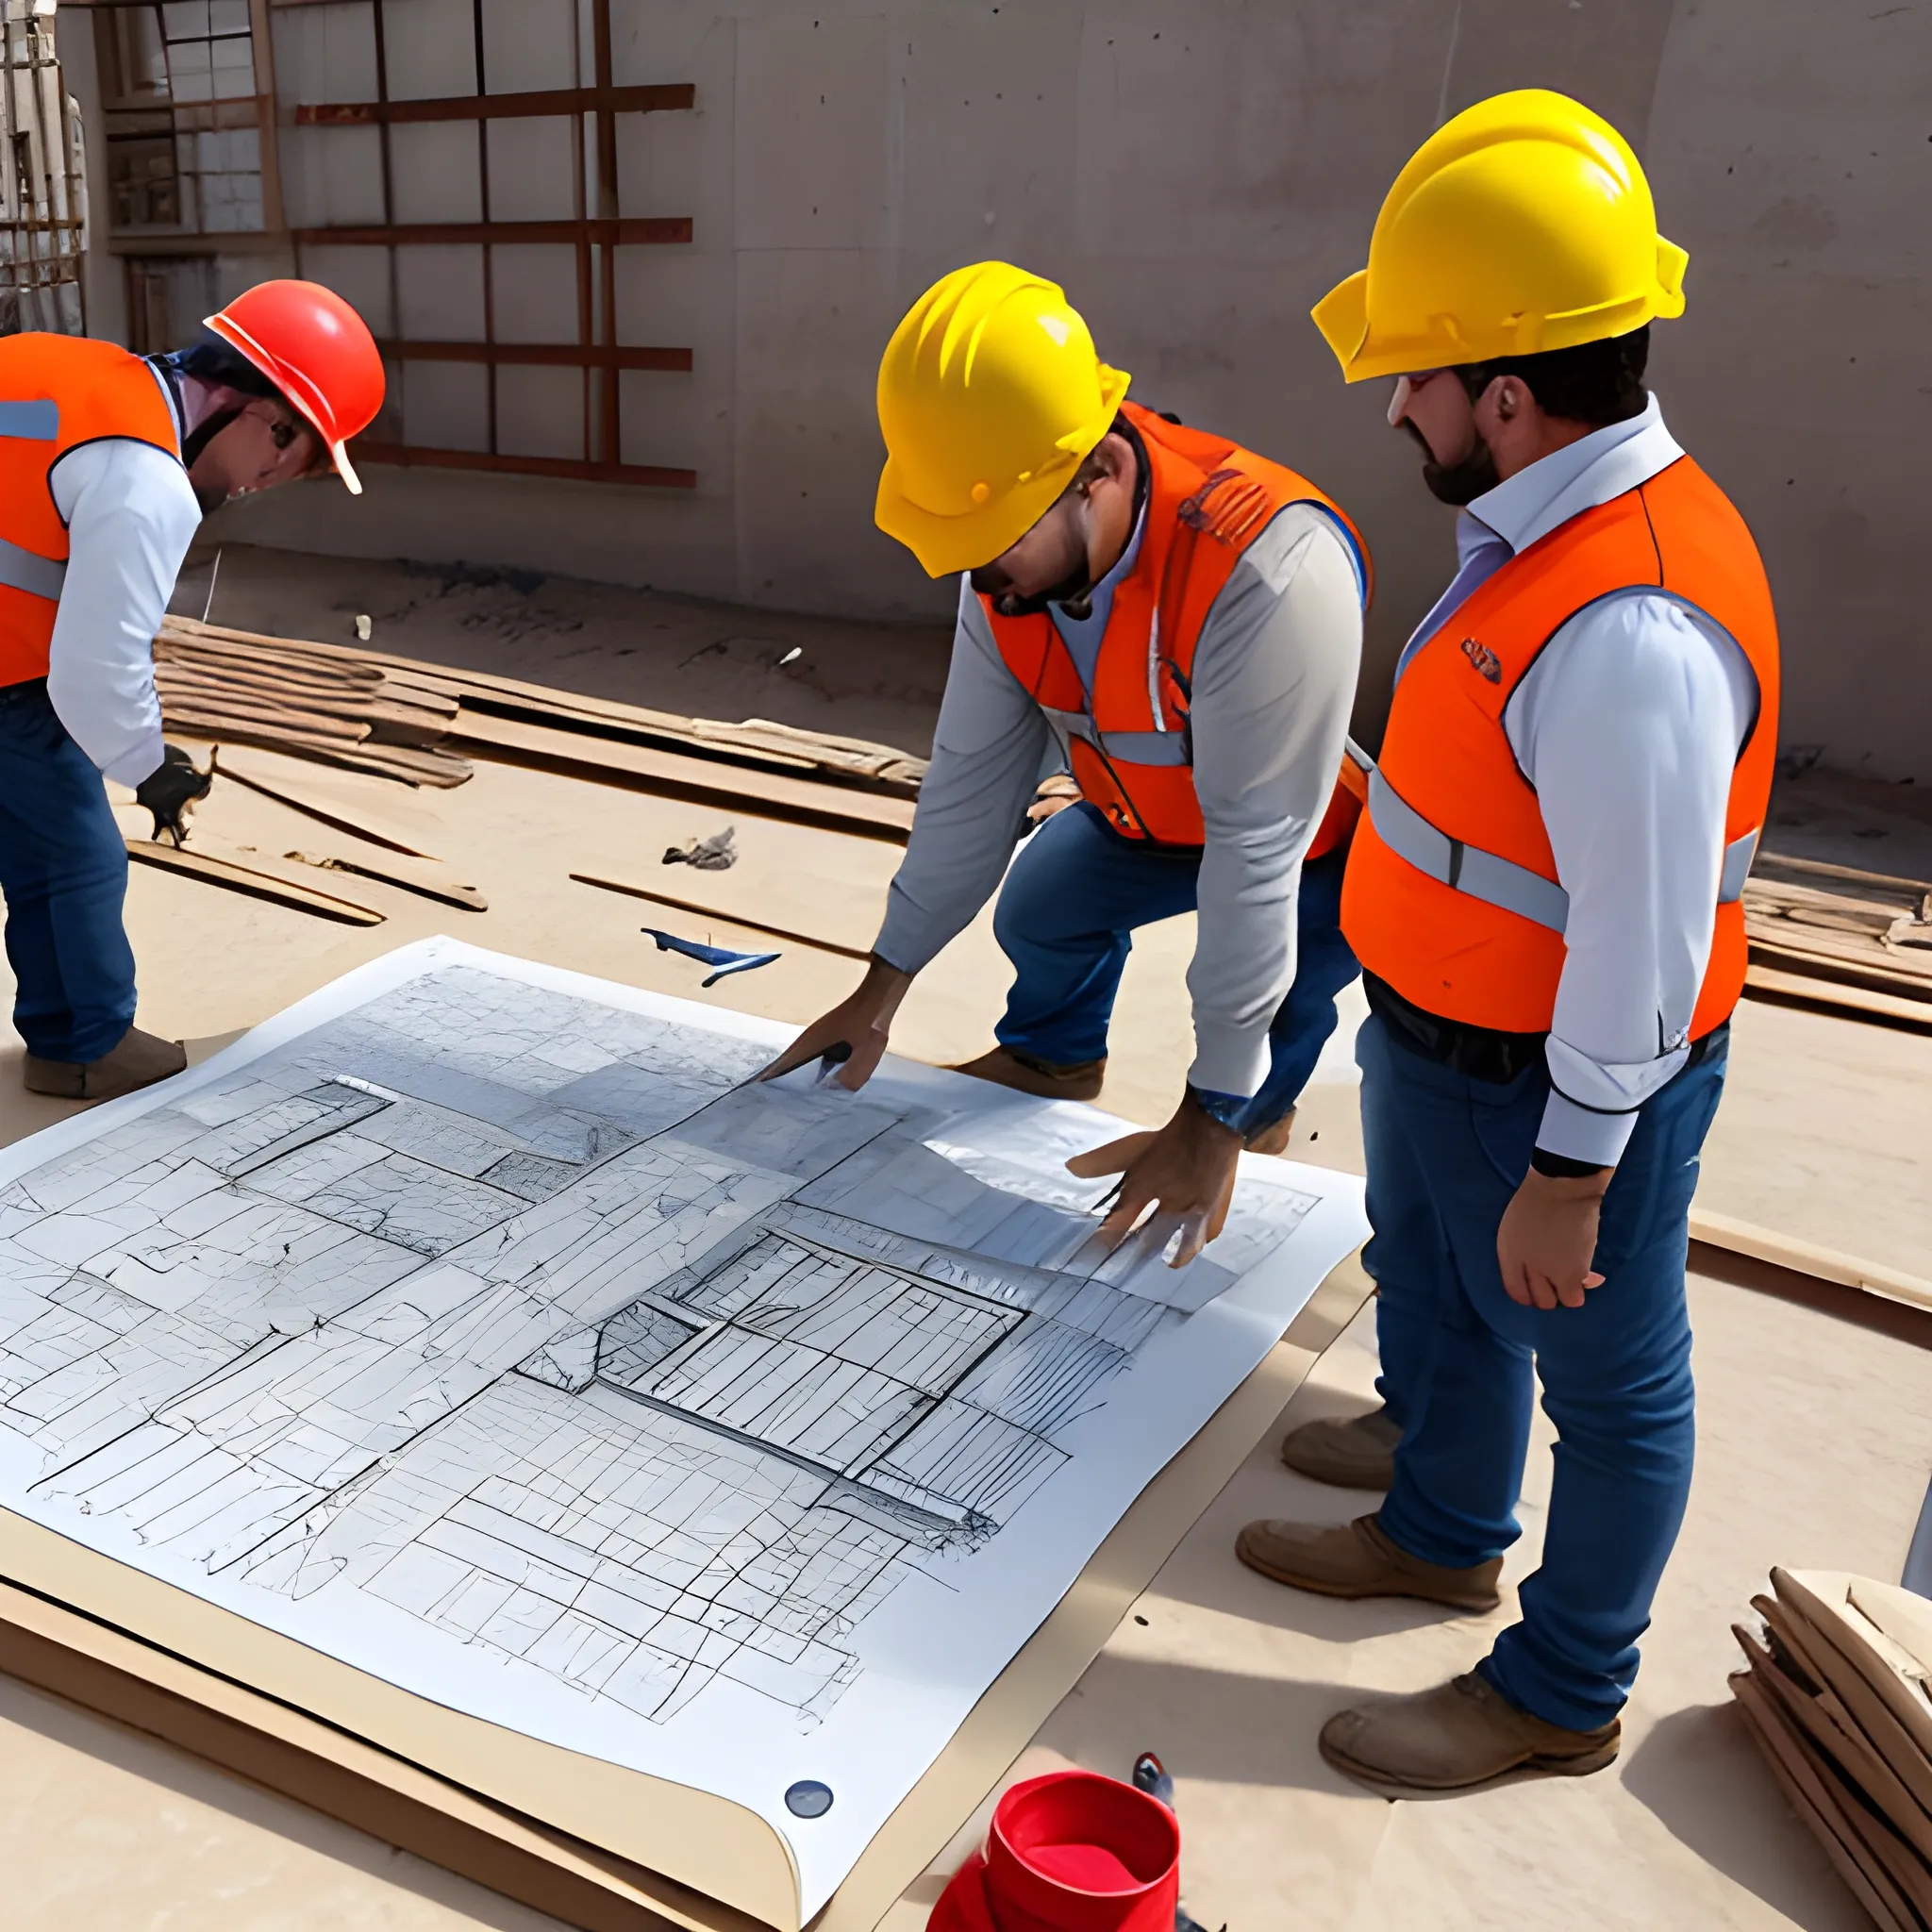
column 57, row 393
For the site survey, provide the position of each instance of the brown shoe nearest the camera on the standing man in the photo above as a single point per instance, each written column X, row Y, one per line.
column 1458, row 1738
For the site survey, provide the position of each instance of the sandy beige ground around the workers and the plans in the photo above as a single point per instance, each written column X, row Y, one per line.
column 1815, row 1436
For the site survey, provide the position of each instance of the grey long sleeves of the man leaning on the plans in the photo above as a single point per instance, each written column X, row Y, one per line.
column 1274, row 681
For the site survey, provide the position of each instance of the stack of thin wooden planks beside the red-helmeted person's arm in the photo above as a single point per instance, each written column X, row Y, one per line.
column 242, row 689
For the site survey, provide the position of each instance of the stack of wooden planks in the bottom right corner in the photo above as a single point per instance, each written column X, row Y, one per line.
column 1834, row 1693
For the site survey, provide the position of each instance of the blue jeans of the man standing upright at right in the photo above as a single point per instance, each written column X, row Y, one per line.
column 1460, row 1363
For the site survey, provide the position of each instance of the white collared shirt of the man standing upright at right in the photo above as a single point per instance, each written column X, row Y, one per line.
column 1630, row 727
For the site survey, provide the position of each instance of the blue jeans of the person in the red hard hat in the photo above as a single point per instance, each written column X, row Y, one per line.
column 65, row 876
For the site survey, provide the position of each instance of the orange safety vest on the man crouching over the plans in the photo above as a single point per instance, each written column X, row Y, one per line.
column 1127, row 739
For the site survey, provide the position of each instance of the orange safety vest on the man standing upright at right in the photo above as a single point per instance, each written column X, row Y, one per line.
column 1452, row 894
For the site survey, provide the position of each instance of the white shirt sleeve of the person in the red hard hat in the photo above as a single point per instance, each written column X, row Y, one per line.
column 130, row 515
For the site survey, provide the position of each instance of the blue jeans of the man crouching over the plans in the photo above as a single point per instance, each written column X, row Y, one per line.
column 1067, row 923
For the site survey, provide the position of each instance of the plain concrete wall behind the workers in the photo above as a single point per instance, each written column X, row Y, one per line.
column 1199, row 173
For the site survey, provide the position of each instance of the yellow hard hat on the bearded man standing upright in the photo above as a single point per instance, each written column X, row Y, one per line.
column 1521, row 225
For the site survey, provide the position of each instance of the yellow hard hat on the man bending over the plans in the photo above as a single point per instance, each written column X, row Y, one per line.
column 990, row 395
